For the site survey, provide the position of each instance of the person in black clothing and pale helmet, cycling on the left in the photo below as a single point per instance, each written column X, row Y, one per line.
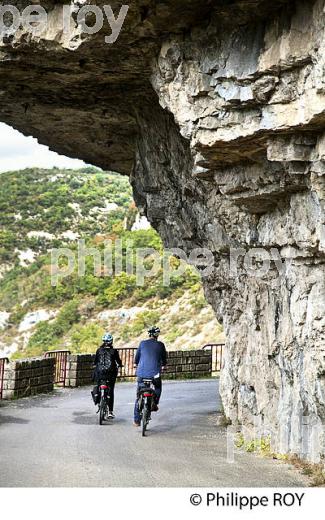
column 107, row 361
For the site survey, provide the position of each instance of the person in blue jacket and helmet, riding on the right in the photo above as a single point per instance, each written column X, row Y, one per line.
column 150, row 359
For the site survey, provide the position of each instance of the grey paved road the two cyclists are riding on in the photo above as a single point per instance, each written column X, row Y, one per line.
column 55, row 441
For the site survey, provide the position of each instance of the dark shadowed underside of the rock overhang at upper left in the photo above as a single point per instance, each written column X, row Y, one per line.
column 58, row 86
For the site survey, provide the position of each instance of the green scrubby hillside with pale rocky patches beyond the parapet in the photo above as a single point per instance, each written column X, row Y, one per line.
column 45, row 209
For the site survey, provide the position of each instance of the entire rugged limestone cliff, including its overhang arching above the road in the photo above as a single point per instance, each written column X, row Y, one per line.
column 216, row 110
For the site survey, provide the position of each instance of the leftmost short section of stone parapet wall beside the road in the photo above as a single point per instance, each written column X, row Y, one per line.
column 28, row 377
